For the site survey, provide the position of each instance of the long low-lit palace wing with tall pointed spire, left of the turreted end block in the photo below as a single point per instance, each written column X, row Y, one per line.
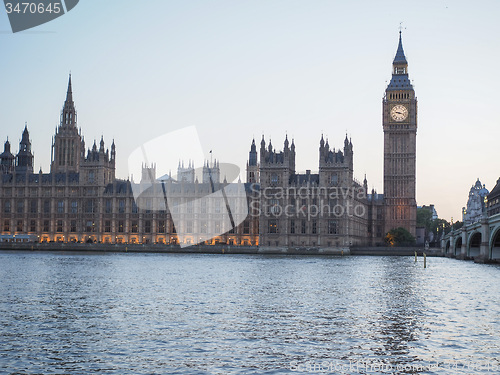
column 81, row 200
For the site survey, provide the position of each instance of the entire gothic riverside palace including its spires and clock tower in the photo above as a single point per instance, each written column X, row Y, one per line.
column 81, row 200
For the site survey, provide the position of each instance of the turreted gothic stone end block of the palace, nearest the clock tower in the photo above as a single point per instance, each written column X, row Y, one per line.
column 321, row 210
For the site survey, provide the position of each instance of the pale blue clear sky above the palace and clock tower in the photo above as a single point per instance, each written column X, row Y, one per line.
column 236, row 69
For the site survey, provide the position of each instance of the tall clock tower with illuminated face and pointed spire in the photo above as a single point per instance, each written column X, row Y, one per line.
column 400, row 136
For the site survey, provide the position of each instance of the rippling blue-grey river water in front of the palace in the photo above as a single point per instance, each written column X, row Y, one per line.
column 237, row 314
